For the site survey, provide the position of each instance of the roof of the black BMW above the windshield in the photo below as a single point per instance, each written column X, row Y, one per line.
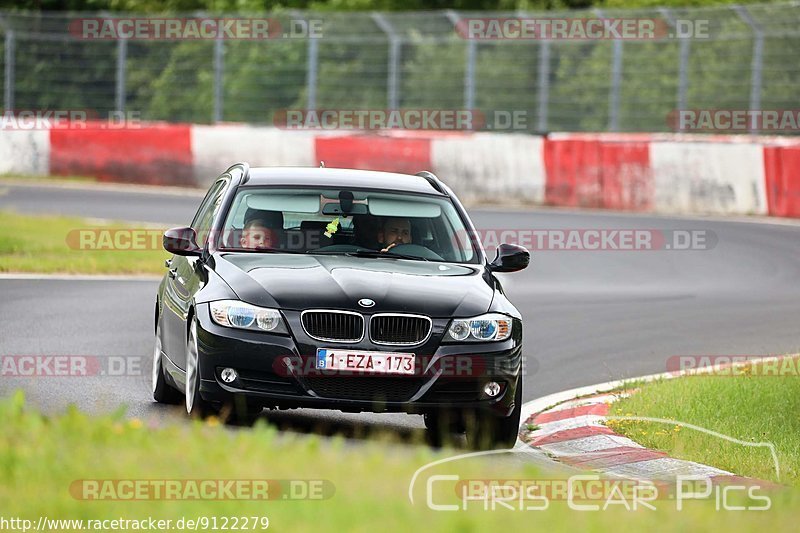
column 339, row 178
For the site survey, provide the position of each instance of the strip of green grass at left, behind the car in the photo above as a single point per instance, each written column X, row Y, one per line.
column 51, row 244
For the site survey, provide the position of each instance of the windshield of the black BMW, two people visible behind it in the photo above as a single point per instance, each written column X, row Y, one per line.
column 361, row 223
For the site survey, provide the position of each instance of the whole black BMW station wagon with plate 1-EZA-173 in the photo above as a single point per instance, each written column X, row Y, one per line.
column 339, row 289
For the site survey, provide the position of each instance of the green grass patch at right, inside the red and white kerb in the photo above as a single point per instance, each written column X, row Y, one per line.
column 751, row 407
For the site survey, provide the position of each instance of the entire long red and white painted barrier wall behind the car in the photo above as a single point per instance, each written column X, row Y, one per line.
column 691, row 174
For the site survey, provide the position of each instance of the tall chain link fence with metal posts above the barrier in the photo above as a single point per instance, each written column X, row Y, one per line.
column 744, row 58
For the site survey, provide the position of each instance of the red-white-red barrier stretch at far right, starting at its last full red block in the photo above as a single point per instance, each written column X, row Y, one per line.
column 689, row 174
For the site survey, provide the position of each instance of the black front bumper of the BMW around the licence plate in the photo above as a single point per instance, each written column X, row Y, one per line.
column 278, row 371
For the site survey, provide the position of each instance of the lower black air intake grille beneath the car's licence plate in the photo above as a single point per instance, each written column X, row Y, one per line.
column 377, row 389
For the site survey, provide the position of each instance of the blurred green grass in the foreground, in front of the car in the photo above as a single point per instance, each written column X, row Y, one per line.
column 41, row 457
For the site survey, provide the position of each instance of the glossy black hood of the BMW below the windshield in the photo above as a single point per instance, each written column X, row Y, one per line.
column 336, row 281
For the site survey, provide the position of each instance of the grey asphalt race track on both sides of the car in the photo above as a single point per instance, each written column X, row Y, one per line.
column 590, row 316
